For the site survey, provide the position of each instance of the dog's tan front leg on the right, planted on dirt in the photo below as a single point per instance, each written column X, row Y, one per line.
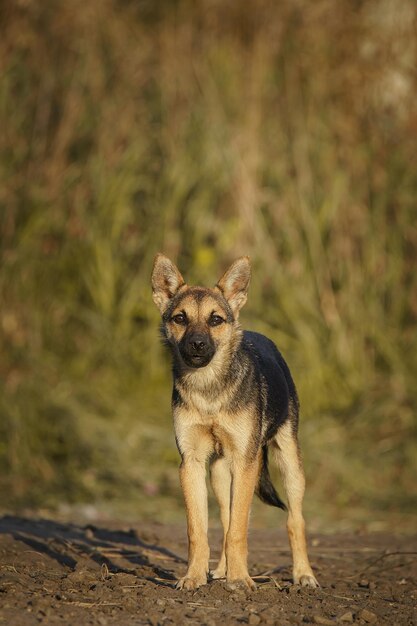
column 244, row 477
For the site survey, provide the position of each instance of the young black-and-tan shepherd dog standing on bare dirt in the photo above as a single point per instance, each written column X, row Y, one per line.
column 233, row 399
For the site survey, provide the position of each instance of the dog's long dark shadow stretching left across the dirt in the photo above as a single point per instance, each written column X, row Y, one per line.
column 72, row 546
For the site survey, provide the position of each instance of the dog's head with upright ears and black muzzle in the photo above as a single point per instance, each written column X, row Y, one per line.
column 199, row 321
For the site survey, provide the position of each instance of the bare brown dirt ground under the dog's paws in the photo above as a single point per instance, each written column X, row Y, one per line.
column 67, row 573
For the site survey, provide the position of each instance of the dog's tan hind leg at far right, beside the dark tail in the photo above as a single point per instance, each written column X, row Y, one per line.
column 289, row 461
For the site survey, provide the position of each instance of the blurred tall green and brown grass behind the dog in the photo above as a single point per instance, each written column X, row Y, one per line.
column 206, row 130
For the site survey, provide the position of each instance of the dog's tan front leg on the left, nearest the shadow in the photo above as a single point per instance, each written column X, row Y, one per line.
column 193, row 483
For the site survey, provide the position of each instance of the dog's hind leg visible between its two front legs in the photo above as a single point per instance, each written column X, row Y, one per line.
column 221, row 480
